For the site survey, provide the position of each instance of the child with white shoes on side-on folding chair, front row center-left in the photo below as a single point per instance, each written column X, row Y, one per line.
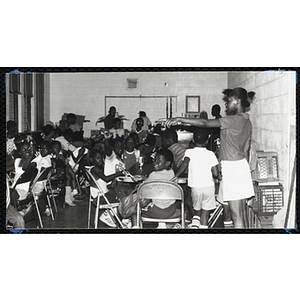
column 102, row 180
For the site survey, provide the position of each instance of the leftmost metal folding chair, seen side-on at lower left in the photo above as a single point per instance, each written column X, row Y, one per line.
column 44, row 177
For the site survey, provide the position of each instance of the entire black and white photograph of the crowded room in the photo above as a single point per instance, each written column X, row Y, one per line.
column 134, row 150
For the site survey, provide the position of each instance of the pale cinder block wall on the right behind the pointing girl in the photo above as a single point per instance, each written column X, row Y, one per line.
column 273, row 116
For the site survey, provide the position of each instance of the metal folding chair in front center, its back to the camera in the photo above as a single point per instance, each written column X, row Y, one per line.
column 160, row 190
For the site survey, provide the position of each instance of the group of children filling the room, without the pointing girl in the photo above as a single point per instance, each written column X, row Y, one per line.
column 116, row 153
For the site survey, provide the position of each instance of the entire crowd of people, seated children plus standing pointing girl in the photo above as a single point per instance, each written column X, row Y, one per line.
column 217, row 154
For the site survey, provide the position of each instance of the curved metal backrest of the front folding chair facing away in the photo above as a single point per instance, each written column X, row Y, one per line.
column 160, row 190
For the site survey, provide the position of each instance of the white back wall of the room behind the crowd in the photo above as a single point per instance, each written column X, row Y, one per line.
column 84, row 93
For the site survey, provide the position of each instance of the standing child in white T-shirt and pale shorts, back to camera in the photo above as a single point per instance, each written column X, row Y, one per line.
column 203, row 168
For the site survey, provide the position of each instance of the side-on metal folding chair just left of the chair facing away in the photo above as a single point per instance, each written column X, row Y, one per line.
column 109, row 206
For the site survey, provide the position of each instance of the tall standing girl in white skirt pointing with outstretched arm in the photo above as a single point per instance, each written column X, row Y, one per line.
column 236, row 130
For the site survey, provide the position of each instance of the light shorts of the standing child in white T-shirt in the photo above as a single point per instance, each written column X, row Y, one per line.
column 203, row 198
